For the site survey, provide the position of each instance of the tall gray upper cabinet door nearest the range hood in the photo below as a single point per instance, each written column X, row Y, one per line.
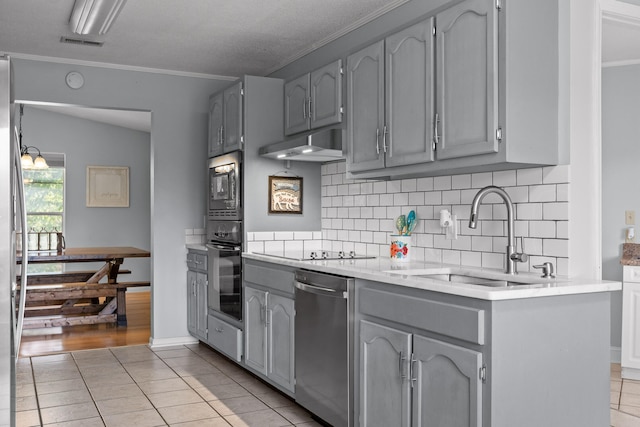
column 365, row 108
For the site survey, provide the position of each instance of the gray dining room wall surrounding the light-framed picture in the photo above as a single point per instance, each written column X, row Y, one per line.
column 88, row 143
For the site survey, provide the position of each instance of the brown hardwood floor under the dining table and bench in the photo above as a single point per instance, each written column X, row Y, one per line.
column 38, row 342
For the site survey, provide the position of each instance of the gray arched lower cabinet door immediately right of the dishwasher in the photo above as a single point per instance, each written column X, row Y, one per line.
column 384, row 368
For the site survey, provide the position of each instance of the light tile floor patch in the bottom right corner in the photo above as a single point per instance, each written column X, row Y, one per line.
column 625, row 400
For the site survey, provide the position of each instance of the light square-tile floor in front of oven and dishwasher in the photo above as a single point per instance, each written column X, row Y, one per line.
column 136, row 386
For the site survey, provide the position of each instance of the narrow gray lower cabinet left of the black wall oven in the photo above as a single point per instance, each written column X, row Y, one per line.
column 197, row 294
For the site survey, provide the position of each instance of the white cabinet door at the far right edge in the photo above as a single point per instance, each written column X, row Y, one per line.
column 631, row 325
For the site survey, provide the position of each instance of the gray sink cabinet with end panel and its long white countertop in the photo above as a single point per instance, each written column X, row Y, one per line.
column 432, row 351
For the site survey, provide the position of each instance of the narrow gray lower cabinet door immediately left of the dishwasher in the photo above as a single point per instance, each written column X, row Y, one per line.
column 280, row 338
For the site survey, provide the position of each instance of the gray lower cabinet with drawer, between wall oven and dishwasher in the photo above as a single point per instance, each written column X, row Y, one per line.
column 269, row 314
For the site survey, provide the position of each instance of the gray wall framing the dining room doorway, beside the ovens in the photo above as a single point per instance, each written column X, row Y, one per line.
column 177, row 186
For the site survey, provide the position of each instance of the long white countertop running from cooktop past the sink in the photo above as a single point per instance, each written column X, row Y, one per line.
column 382, row 270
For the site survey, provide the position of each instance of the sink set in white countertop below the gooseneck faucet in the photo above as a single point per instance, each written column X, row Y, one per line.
column 472, row 279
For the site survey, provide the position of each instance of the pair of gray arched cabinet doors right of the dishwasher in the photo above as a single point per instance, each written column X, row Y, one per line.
column 410, row 380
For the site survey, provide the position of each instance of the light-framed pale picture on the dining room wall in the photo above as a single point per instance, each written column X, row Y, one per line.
column 107, row 187
